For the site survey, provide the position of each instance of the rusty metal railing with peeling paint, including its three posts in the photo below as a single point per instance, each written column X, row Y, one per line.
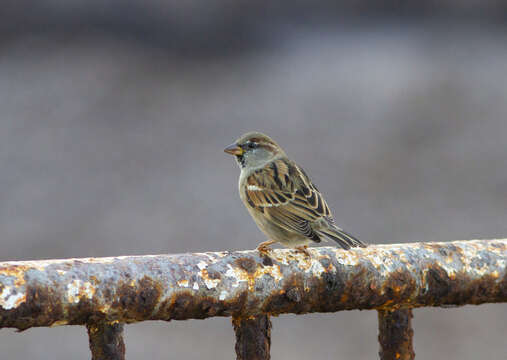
column 105, row 293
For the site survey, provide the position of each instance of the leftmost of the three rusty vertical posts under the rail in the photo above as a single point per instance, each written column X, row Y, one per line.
column 106, row 341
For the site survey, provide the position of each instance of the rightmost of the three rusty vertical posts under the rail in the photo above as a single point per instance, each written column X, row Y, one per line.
column 395, row 334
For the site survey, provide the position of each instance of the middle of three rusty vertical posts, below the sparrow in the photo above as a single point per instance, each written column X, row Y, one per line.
column 253, row 337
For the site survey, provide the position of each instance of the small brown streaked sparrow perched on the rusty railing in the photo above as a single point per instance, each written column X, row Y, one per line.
column 281, row 198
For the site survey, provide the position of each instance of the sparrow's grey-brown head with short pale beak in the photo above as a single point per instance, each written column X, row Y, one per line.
column 254, row 150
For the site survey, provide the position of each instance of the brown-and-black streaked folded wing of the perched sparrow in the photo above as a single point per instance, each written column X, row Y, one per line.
column 284, row 193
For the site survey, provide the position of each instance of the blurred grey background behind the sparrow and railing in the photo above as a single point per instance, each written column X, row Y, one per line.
column 114, row 116
